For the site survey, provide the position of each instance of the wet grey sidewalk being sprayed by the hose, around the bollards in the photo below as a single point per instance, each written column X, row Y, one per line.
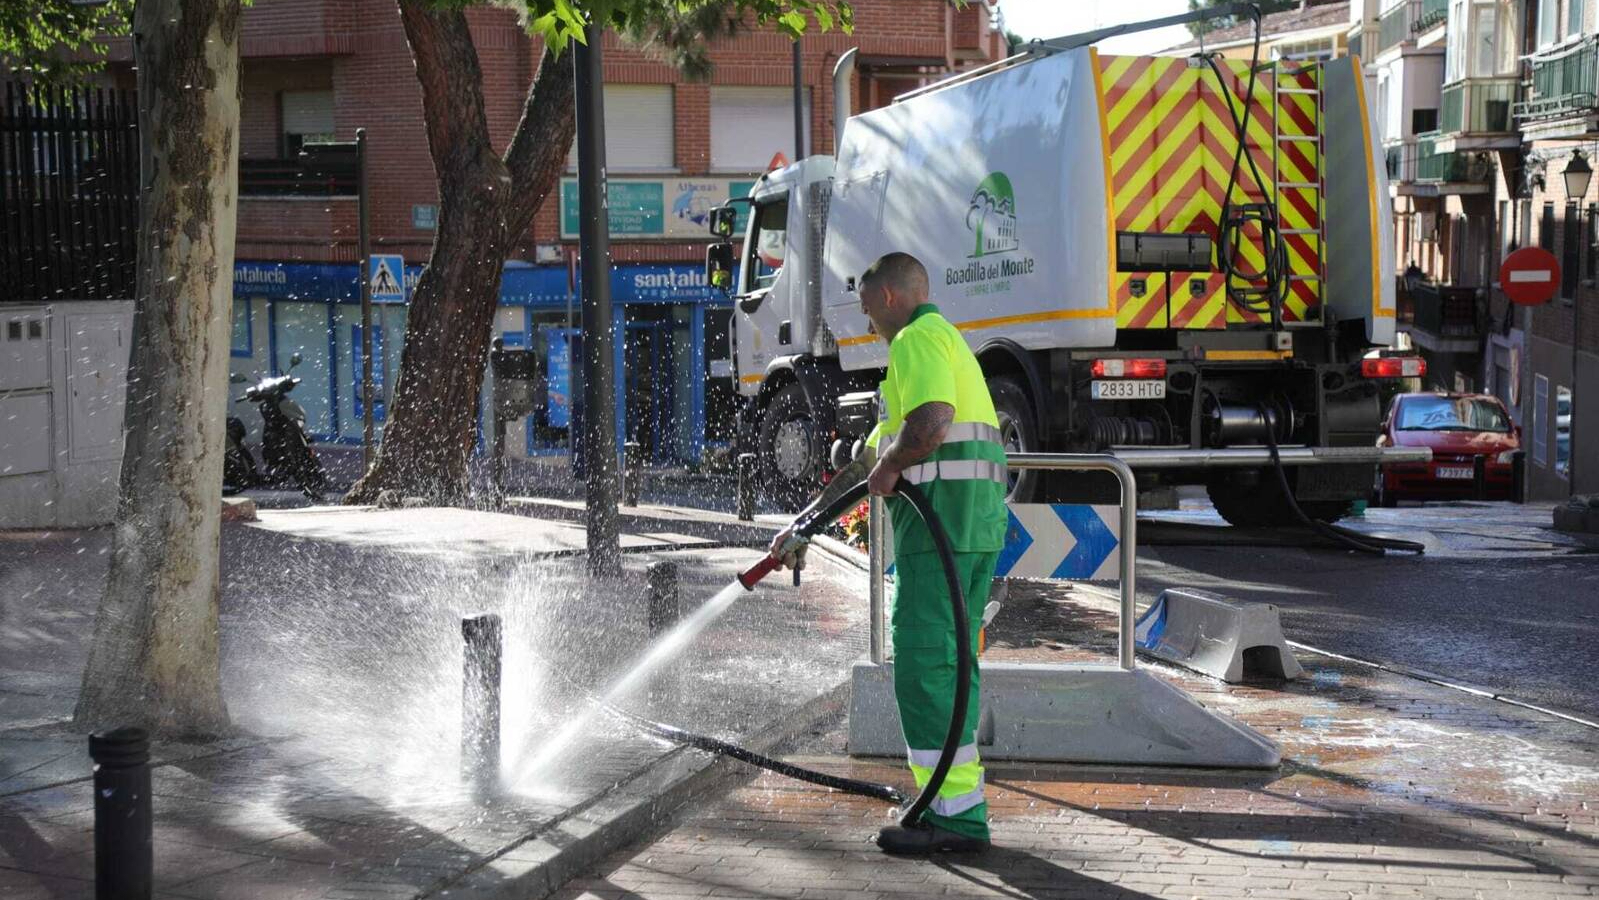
column 343, row 677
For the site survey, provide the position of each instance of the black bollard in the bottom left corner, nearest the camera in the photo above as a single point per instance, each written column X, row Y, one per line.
column 124, row 864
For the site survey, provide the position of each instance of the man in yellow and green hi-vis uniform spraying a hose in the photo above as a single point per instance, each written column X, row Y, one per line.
column 939, row 432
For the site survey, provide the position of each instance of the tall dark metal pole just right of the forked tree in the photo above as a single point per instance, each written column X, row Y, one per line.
column 599, row 440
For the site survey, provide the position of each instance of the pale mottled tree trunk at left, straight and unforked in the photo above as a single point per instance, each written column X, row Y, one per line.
column 154, row 659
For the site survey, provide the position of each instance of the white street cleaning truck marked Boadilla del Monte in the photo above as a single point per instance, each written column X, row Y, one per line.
column 1181, row 261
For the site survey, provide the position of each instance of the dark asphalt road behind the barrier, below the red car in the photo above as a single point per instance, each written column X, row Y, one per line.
column 1499, row 600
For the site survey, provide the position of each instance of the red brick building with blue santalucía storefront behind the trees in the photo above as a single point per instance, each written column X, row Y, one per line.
column 319, row 70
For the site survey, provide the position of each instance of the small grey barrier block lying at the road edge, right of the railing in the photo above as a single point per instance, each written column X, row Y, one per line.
column 1226, row 639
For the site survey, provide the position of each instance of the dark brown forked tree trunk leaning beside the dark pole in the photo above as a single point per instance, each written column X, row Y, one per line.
column 487, row 205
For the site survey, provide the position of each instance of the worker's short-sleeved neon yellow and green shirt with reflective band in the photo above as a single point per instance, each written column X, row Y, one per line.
column 965, row 477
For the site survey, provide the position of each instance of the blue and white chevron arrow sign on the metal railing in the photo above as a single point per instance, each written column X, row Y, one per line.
column 1061, row 541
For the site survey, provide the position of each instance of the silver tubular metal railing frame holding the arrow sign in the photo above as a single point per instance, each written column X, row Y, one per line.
column 1047, row 461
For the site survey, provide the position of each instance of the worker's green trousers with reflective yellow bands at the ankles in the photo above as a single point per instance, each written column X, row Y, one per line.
column 925, row 672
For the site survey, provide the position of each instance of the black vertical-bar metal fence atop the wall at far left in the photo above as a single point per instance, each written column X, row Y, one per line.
column 70, row 189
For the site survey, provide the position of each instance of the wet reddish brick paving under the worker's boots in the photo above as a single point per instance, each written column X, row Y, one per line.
column 1390, row 787
